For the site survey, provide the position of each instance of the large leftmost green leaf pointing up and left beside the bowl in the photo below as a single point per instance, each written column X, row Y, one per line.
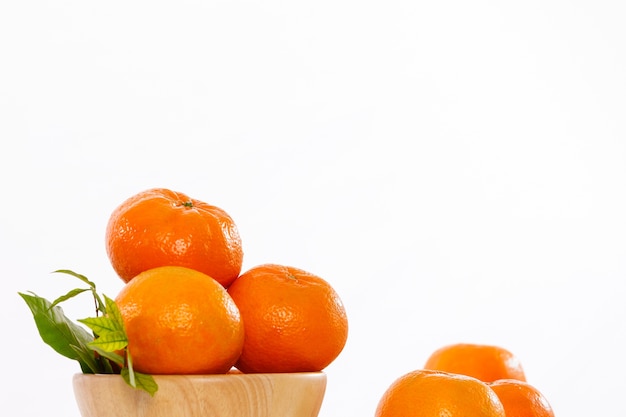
column 56, row 329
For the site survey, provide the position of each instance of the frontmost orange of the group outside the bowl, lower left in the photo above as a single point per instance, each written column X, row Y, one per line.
column 426, row 393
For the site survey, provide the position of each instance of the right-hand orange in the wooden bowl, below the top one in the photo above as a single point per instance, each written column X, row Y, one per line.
column 294, row 320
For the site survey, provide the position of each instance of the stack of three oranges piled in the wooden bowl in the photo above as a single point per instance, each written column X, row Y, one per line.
column 188, row 309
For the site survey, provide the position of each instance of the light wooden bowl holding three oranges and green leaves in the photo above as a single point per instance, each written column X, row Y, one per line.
column 230, row 395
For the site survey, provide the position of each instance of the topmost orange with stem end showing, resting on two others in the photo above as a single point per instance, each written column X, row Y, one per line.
column 160, row 227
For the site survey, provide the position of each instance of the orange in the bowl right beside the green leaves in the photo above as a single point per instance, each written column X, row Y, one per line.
column 180, row 321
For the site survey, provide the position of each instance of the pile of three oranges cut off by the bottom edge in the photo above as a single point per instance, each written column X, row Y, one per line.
column 463, row 380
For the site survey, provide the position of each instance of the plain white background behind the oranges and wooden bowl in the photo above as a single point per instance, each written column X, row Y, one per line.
column 455, row 169
